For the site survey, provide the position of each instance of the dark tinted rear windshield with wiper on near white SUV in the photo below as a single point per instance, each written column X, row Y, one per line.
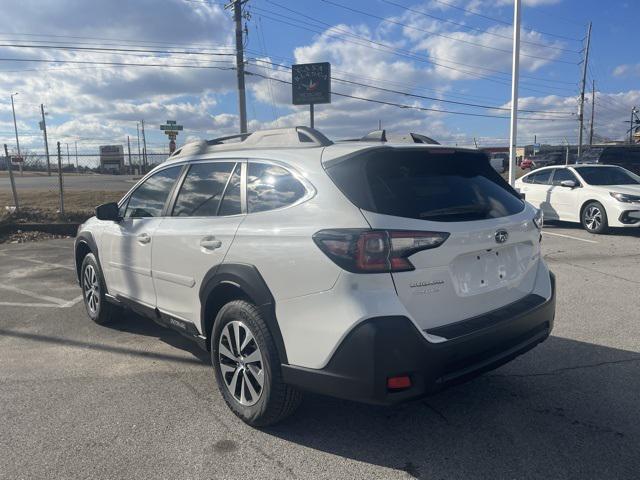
column 443, row 186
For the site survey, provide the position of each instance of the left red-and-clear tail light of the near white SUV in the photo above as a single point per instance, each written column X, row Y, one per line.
column 375, row 251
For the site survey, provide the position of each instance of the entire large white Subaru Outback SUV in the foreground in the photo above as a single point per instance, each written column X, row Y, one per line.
column 363, row 270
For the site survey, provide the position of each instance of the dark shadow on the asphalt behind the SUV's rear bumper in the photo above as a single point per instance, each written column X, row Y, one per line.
column 567, row 409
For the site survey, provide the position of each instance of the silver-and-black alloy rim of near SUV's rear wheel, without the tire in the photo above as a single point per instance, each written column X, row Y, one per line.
column 241, row 363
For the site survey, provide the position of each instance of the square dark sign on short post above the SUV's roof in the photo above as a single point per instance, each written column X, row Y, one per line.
column 311, row 84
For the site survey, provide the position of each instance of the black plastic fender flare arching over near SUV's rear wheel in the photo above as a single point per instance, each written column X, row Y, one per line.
column 247, row 278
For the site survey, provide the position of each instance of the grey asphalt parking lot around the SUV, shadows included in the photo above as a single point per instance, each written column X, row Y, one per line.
column 134, row 400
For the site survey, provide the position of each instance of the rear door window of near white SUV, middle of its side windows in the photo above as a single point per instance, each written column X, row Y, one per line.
column 202, row 189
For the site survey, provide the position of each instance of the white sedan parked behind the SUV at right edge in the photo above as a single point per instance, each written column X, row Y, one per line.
column 597, row 196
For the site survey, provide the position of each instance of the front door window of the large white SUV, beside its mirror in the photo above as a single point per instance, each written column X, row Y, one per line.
column 149, row 198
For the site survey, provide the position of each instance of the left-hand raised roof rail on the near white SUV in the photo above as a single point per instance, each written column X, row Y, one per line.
column 289, row 137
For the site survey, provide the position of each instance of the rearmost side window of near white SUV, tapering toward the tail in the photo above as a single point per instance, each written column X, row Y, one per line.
column 270, row 187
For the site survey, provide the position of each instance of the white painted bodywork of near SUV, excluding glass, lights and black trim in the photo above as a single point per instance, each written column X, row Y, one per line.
column 317, row 302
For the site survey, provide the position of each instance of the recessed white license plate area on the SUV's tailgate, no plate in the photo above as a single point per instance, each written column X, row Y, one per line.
column 490, row 269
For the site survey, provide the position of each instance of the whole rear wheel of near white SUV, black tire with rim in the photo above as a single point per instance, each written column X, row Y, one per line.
column 275, row 400
